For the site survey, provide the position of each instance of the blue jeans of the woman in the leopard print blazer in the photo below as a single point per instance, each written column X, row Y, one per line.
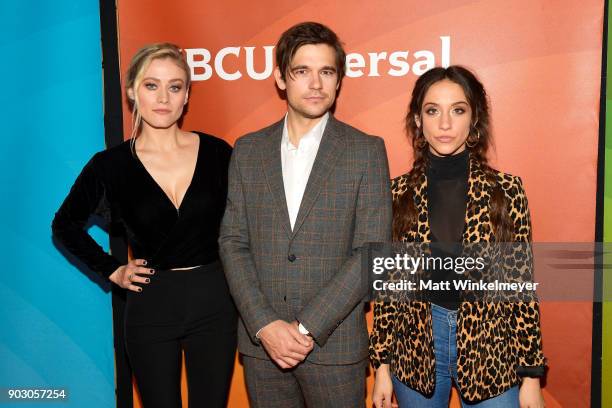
column 445, row 350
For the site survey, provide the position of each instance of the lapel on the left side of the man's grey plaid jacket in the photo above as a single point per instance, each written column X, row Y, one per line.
column 273, row 170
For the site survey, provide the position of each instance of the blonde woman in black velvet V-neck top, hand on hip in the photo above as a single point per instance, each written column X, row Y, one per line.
column 168, row 188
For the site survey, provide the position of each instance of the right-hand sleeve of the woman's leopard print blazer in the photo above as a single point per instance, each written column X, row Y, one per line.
column 525, row 320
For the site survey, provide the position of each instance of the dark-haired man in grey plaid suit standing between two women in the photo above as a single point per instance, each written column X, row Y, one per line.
column 305, row 195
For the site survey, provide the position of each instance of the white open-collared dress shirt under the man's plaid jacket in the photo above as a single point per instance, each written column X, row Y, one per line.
column 297, row 164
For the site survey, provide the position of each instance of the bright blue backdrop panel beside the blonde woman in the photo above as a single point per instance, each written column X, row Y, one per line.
column 55, row 317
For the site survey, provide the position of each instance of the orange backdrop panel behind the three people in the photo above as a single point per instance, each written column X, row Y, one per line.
column 539, row 60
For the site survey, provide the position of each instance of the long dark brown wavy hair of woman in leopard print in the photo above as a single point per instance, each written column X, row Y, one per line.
column 478, row 143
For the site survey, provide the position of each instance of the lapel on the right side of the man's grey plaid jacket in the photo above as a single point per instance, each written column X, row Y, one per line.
column 325, row 161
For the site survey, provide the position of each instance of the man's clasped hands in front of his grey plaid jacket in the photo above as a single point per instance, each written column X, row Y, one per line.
column 285, row 344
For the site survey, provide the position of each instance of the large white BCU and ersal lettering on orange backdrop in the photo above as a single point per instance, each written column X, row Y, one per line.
column 373, row 64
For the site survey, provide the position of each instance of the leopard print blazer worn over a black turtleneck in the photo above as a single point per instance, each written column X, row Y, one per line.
column 497, row 342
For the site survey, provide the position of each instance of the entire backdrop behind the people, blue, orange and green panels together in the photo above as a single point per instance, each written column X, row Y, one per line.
column 540, row 62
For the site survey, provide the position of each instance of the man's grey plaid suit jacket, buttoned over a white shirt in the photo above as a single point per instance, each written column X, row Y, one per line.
column 313, row 272
